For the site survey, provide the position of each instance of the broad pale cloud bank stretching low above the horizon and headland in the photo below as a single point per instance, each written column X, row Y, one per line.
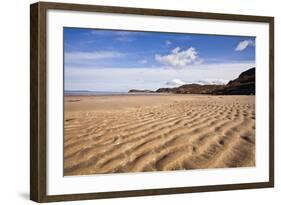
column 124, row 79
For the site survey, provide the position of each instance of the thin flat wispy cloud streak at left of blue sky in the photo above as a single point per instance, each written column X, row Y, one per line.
column 85, row 56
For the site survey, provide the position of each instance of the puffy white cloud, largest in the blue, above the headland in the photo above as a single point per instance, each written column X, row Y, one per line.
column 179, row 59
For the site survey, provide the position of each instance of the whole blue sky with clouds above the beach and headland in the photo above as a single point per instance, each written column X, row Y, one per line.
column 112, row 60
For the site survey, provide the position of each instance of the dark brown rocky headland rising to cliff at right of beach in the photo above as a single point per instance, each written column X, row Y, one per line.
column 243, row 85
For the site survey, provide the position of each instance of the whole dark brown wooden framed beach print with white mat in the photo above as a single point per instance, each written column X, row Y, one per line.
column 133, row 102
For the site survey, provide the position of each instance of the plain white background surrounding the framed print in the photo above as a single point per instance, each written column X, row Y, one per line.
column 14, row 102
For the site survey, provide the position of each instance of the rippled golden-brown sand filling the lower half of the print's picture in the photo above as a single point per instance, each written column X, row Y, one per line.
column 113, row 134
